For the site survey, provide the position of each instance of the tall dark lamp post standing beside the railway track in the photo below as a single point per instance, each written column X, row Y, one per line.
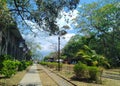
column 60, row 33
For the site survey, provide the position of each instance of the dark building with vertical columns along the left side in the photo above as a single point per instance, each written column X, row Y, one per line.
column 10, row 40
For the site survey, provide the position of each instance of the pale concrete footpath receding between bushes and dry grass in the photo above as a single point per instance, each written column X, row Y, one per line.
column 31, row 78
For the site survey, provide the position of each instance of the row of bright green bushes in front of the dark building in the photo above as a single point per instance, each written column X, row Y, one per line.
column 9, row 66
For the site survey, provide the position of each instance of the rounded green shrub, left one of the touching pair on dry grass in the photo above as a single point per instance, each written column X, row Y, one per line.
column 81, row 70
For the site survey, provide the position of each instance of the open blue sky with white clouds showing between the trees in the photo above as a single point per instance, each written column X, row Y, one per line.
column 49, row 43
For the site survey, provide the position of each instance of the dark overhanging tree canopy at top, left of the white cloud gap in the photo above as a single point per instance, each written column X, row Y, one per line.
column 42, row 12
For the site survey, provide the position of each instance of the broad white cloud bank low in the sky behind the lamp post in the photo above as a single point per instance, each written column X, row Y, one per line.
column 49, row 44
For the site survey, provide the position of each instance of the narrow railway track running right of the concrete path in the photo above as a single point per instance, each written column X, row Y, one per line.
column 60, row 81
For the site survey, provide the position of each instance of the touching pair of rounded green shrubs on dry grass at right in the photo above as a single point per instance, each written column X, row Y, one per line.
column 91, row 73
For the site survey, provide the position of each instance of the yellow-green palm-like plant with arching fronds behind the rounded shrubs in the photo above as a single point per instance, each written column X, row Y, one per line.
column 91, row 58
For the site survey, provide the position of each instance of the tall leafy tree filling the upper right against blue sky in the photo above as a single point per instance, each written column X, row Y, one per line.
column 101, row 19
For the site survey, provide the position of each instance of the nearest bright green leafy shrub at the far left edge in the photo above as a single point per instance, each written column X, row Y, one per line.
column 9, row 68
